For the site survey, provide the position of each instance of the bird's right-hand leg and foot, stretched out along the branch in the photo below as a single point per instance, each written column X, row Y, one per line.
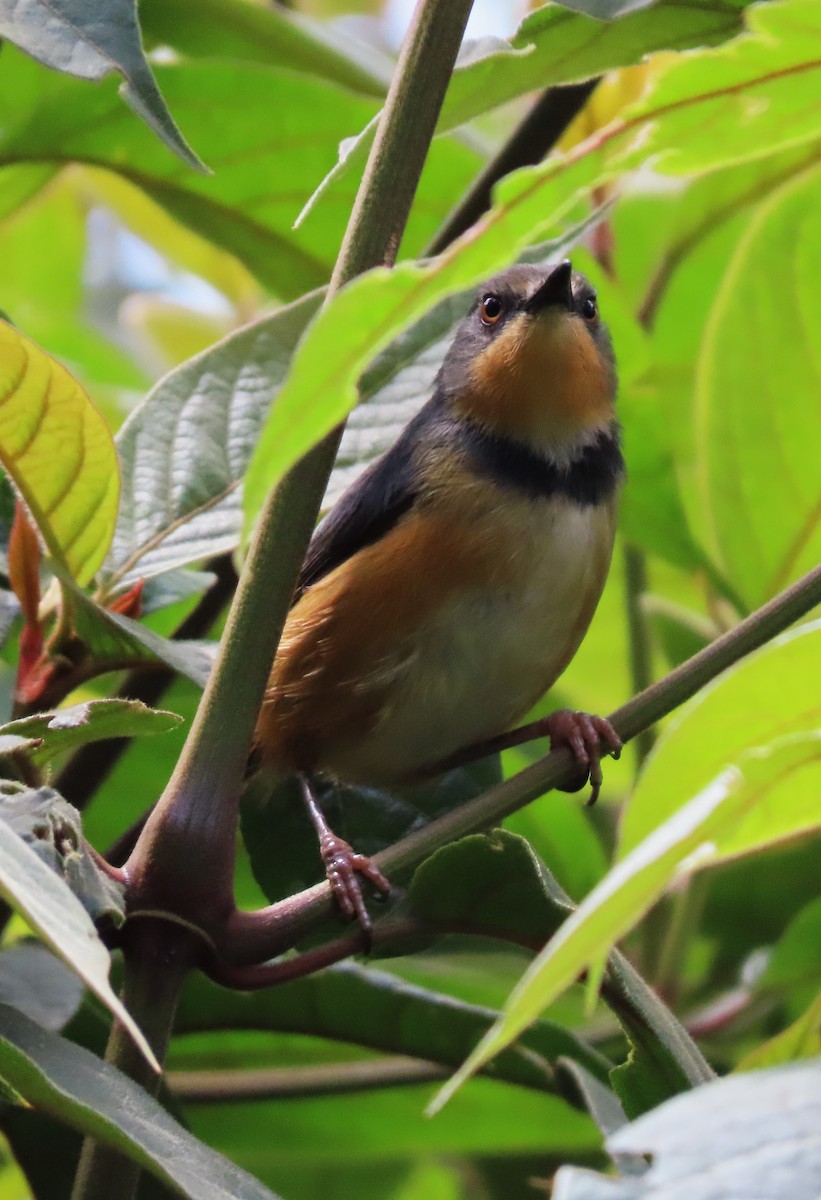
column 588, row 736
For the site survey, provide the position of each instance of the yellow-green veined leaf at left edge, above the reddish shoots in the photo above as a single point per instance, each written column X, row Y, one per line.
column 59, row 453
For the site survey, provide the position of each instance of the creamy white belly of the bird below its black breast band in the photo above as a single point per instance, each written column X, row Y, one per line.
column 488, row 657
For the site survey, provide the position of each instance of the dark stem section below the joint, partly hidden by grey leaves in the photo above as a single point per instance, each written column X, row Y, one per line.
column 158, row 957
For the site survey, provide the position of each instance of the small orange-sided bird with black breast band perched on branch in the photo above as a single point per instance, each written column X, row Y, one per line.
column 454, row 581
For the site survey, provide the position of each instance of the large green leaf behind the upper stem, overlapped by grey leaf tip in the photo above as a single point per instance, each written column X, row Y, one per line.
column 262, row 170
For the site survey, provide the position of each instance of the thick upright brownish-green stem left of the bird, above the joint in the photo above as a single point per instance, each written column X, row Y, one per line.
column 196, row 820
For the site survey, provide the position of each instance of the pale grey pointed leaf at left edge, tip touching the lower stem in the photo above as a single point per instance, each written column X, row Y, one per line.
column 57, row 916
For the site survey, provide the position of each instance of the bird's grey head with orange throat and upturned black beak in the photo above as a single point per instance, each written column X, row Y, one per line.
column 532, row 361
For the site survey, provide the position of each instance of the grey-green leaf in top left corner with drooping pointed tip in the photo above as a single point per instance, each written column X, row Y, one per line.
column 70, row 37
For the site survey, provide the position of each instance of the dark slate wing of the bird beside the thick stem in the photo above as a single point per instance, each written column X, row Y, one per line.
column 370, row 509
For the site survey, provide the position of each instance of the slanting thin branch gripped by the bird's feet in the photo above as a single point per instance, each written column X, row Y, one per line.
column 255, row 937
